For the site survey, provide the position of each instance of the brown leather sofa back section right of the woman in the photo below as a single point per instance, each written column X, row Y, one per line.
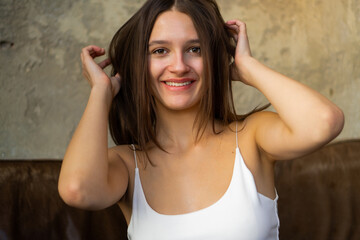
column 319, row 194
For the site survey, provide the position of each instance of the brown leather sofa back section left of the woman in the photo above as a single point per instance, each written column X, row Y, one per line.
column 31, row 208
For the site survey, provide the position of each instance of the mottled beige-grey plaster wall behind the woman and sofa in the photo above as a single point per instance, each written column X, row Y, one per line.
column 42, row 92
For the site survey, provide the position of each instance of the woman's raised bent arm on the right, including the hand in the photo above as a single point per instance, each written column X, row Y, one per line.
column 305, row 119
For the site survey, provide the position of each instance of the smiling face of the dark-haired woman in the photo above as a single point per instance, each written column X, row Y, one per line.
column 175, row 61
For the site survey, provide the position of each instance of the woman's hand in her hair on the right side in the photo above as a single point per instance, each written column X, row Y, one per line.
column 242, row 52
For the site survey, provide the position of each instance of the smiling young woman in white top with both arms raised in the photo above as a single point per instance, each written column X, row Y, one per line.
column 185, row 165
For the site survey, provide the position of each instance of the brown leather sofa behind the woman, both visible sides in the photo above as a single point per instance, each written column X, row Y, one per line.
column 319, row 199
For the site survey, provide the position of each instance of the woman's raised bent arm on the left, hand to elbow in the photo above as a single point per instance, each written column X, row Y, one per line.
column 92, row 176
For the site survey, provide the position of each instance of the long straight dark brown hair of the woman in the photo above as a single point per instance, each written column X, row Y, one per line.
column 132, row 117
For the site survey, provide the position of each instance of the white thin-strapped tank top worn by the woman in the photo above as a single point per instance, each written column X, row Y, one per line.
column 241, row 213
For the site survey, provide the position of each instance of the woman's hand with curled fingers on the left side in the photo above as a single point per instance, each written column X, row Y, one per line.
column 94, row 72
